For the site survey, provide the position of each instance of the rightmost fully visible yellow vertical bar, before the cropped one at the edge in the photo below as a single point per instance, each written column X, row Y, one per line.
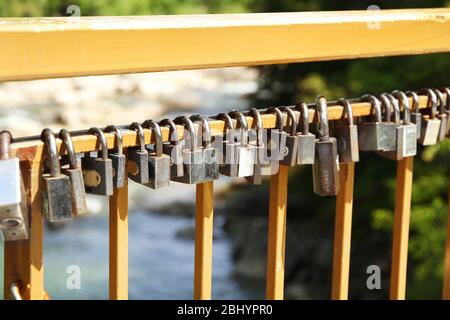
column 401, row 228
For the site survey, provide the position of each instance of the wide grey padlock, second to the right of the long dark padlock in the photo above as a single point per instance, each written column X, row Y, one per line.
column 372, row 135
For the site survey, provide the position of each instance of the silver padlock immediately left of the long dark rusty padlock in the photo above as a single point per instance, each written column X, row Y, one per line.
column 306, row 140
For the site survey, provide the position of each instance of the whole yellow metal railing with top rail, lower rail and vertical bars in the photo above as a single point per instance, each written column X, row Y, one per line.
column 63, row 47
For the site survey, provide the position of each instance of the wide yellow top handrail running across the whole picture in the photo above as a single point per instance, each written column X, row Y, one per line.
column 32, row 48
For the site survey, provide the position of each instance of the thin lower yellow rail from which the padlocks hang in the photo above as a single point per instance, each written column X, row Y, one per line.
column 29, row 150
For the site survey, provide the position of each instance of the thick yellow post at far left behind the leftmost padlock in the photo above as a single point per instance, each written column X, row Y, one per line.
column 23, row 259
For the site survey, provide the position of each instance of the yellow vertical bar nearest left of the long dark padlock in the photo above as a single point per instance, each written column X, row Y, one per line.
column 277, row 235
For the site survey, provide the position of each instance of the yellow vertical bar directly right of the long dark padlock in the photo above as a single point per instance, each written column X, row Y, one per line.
column 342, row 233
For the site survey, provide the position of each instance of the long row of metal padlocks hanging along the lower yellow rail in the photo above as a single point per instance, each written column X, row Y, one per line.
column 199, row 157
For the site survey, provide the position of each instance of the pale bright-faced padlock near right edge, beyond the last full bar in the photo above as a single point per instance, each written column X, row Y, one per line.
column 430, row 125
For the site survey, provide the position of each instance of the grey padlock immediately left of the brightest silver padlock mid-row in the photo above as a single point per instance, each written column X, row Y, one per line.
column 228, row 156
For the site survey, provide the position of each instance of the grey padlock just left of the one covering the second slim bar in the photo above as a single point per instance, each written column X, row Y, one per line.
column 193, row 167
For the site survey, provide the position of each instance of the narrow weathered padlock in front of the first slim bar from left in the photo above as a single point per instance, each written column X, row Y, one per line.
column 117, row 157
